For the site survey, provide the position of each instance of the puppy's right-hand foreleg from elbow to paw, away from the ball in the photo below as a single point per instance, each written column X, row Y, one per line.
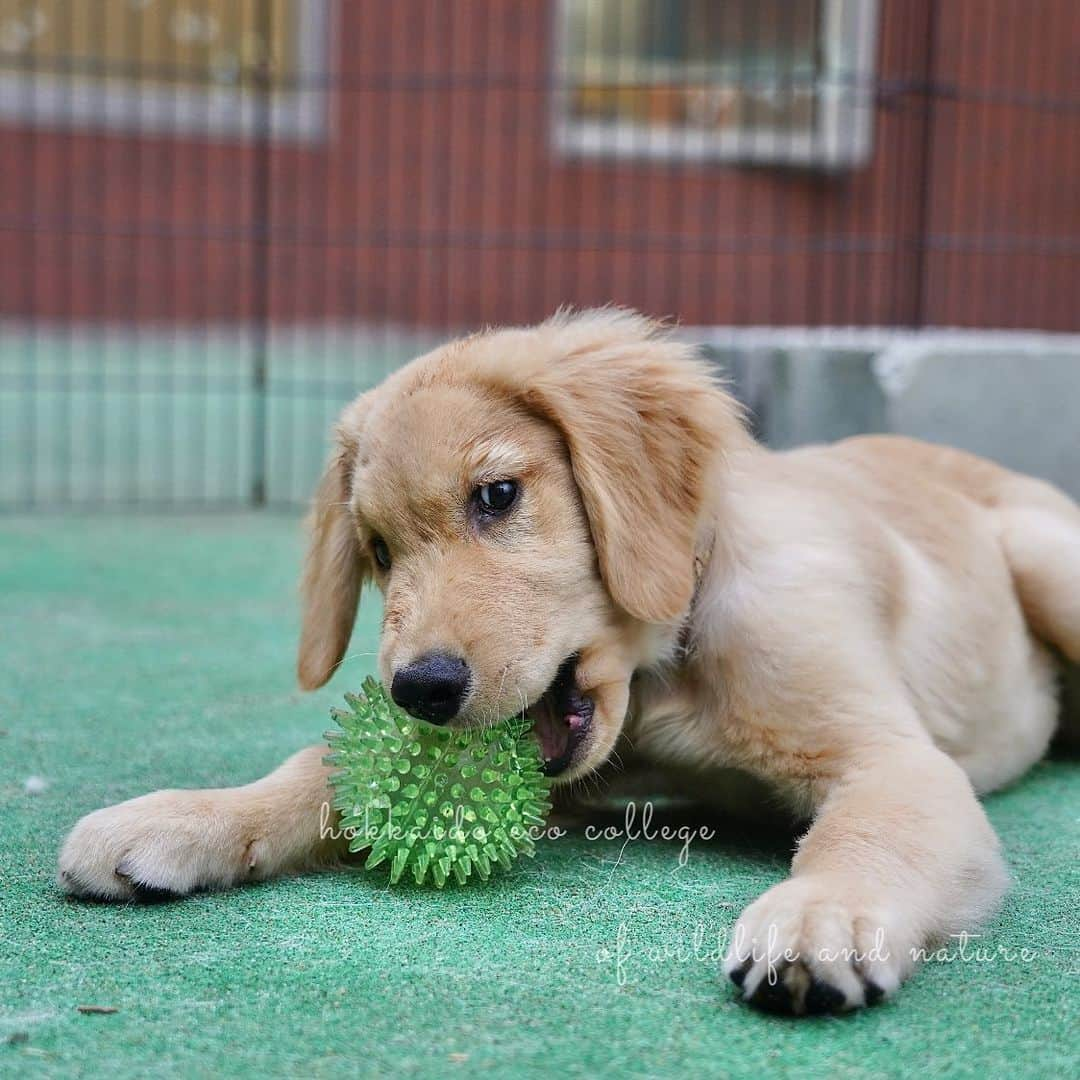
column 899, row 858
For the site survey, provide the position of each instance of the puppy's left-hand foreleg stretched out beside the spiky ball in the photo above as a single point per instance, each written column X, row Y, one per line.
column 173, row 843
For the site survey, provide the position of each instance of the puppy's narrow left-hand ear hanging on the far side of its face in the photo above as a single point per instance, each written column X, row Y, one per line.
column 335, row 569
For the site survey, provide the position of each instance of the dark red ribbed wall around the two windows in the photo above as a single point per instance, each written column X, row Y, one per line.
column 438, row 199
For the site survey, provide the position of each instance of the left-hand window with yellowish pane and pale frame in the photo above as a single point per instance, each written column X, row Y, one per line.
column 235, row 67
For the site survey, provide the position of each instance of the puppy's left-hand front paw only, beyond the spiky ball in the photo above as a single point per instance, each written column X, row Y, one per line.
column 161, row 846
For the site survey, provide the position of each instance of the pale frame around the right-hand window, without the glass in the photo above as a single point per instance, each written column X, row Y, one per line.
column 843, row 137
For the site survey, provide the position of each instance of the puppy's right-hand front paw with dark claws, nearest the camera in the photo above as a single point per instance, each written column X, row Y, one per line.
column 813, row 946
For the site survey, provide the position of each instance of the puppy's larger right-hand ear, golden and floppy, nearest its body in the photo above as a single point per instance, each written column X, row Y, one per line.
column 645, row 423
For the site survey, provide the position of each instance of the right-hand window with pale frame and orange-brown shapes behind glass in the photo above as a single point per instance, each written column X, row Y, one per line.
column 781, row 82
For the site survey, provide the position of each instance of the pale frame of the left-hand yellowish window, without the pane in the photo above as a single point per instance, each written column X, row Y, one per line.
column 45, row 100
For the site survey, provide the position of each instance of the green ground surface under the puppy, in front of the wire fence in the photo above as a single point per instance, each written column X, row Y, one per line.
column 150, row 653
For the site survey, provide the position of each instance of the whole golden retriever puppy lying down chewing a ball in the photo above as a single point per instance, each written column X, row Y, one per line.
column 571, row 520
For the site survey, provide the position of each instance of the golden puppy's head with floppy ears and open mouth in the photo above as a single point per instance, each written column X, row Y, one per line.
column 531, row 504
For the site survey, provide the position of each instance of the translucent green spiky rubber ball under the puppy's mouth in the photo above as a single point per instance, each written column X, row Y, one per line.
column 443, row 802
